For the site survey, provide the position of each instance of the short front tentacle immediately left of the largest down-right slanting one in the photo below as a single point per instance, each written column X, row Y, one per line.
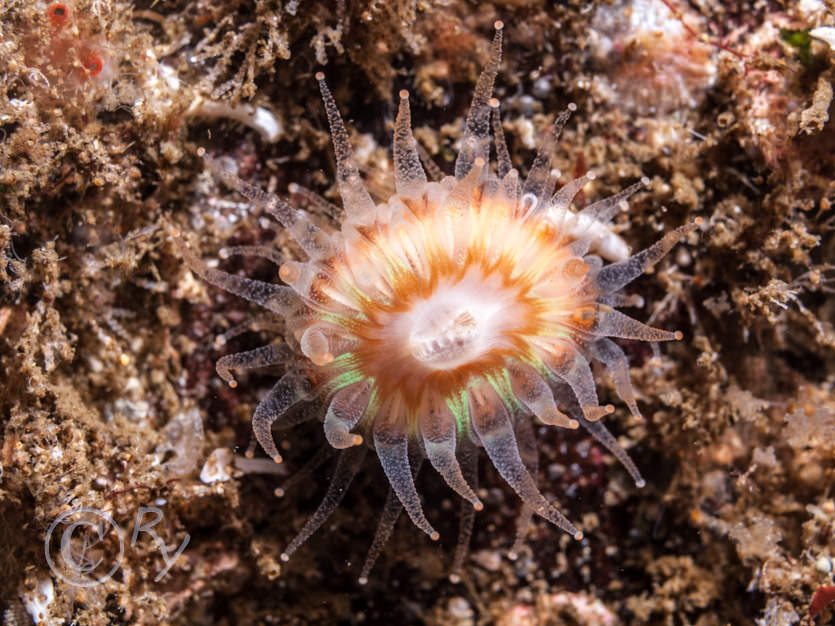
column 439, row 431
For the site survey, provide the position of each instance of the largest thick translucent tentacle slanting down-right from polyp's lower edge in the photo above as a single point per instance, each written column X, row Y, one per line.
column 491, row 422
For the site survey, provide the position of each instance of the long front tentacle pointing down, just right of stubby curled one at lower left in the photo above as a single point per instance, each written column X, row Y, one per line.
column 391, row 443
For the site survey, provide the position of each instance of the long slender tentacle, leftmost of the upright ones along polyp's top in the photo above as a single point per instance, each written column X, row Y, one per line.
column 359, row 206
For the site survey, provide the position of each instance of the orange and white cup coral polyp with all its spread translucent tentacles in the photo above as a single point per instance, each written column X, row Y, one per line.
column 446, row 317
